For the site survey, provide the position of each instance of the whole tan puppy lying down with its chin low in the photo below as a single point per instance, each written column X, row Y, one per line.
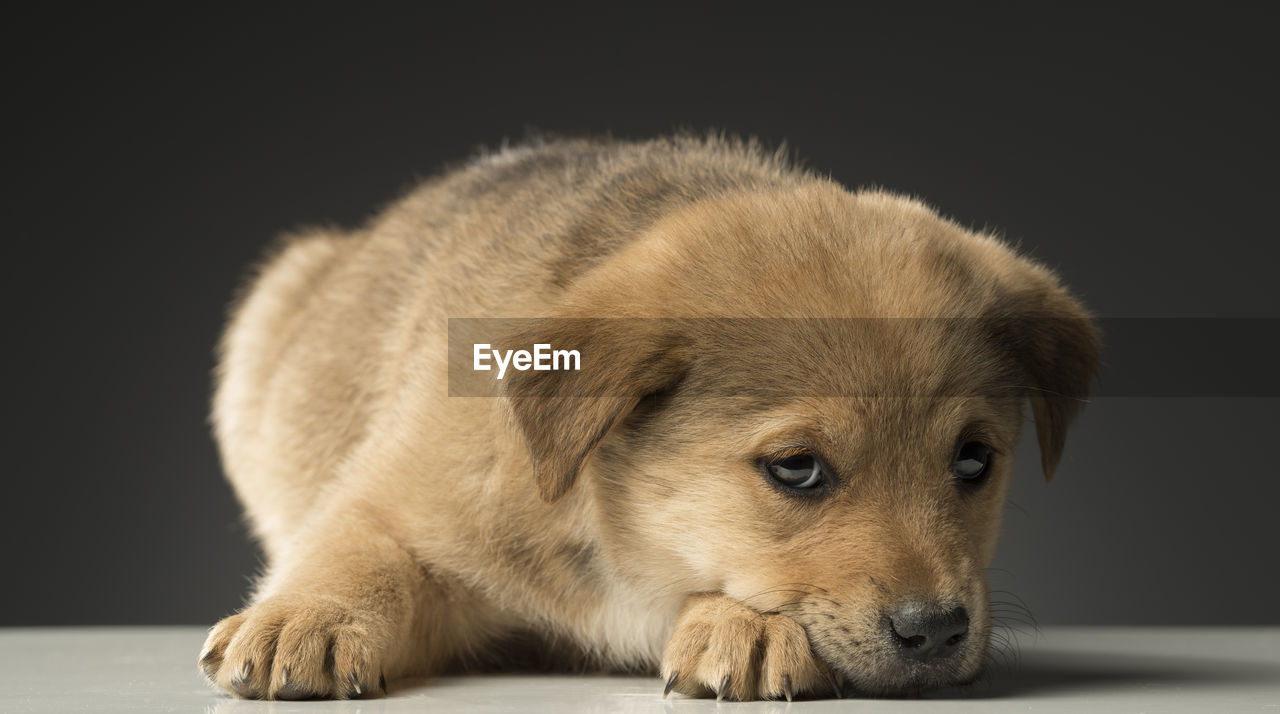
column 801, row 483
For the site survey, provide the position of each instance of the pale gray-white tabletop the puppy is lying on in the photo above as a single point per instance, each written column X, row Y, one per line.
column 1062, row 670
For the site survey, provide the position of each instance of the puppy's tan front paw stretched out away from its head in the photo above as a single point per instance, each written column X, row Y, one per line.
column 286, row 648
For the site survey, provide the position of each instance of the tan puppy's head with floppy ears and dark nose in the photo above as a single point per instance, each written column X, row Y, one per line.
column 822, row 423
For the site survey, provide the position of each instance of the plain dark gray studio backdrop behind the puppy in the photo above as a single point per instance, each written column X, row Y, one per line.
column 152, row 154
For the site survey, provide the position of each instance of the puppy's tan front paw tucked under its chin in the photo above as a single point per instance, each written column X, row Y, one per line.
column 729, row 651
